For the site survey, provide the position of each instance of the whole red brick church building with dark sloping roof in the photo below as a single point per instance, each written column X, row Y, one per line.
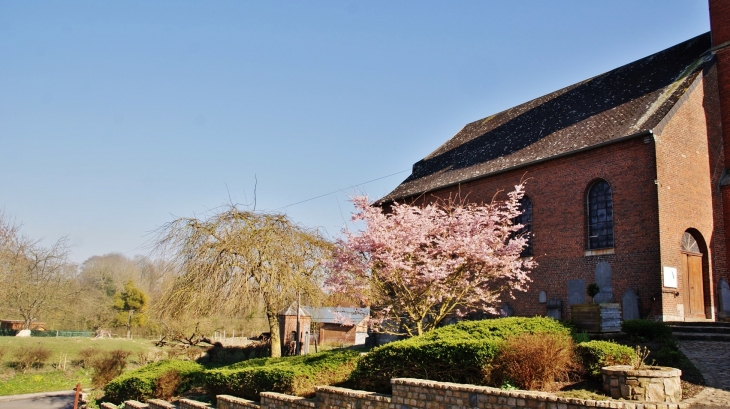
column 629, row 168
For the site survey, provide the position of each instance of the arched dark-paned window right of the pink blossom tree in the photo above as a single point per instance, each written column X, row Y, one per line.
column 600, row 216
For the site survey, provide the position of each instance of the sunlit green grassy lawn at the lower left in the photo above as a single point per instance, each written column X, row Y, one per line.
column 52, row 376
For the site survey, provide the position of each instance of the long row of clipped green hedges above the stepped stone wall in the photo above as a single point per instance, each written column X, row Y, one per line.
column 456, row 353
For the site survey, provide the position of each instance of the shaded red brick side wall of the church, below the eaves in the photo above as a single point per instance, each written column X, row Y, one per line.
column 557, row 189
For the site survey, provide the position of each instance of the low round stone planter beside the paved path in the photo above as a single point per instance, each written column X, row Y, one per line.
column 651, row 383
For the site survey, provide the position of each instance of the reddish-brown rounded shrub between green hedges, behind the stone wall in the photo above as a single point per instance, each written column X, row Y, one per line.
column 534, row 361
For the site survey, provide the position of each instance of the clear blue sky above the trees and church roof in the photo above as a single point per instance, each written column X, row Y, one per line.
column 116, row 117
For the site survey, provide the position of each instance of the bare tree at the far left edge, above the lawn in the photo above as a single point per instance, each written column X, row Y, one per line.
column 33, row 279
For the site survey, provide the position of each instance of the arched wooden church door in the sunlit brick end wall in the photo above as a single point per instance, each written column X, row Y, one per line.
column 694, row 299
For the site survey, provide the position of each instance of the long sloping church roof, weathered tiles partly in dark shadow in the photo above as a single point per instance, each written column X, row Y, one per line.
column 628, row 100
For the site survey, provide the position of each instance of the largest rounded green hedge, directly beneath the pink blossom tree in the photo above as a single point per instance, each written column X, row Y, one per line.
column 459, row 353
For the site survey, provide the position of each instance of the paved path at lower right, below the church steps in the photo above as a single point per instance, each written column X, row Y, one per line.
column 712, row 358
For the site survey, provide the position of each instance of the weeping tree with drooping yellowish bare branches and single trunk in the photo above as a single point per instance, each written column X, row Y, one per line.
column 229, row 261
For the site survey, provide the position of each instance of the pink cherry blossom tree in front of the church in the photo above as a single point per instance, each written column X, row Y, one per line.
column 416, row 265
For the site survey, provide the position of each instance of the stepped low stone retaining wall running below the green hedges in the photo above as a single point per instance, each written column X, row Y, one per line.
column 418, row 394
